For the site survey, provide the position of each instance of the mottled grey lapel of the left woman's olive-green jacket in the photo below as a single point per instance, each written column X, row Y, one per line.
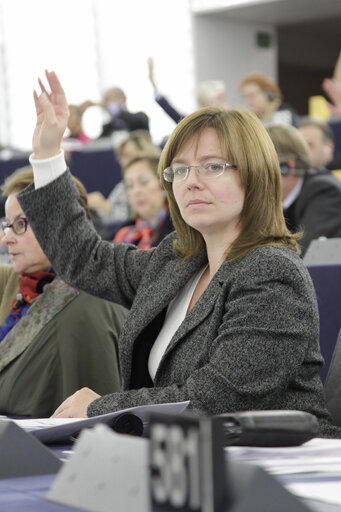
column 56, row 296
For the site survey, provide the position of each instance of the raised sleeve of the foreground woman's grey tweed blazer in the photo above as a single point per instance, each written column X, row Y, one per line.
column 75, row 249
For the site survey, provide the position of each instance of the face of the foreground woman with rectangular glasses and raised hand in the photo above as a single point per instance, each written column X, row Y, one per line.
column 211, row 205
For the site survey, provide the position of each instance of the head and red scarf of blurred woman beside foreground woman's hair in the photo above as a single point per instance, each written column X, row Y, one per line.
column 148, row 203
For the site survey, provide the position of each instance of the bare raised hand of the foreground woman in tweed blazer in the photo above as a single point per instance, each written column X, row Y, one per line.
column 52, row 115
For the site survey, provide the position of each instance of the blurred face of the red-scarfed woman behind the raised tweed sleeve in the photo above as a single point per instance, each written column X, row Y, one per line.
column 145, row 195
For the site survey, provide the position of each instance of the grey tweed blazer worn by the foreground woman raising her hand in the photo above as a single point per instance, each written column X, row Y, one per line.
column 250, row 342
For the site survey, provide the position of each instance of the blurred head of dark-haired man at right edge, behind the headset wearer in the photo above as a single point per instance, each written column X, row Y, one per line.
column 320, row 139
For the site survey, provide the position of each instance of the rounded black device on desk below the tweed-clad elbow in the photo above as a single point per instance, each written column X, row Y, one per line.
column 268, row 428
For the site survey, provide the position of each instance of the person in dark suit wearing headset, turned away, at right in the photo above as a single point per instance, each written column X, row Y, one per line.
column 311, row 197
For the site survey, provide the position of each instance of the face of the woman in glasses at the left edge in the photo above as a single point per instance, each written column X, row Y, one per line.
column 26, row 253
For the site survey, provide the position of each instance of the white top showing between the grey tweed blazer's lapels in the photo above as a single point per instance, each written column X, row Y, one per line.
column 176, row 313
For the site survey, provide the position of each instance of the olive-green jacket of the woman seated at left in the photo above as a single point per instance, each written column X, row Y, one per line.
column 66, row 340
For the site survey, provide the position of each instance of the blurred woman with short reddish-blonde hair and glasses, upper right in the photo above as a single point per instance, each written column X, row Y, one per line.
column 264, row 98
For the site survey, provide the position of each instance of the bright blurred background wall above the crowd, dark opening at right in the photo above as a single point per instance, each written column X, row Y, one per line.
column 96, row 44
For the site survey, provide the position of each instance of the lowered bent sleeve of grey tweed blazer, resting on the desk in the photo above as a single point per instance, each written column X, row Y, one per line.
column 268, row 324
